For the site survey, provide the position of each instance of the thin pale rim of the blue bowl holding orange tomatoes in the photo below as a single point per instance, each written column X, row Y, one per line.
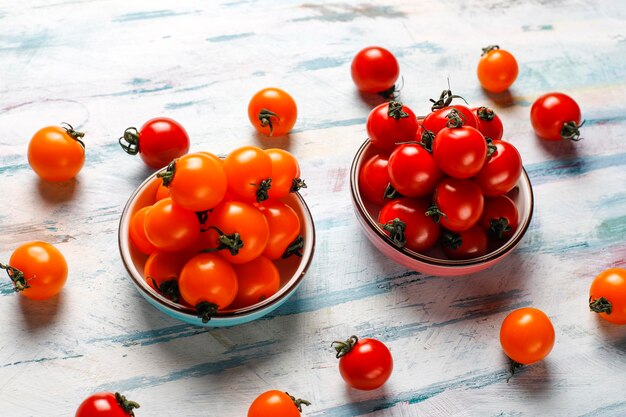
column 286, row 290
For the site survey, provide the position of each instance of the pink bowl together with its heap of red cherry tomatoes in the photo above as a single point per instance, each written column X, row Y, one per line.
column 443, row 194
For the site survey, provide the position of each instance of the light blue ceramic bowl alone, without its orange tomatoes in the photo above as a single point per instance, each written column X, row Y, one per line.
column 292, row 270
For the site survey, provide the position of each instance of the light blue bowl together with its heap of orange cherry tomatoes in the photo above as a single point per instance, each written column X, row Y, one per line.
column 219, row 241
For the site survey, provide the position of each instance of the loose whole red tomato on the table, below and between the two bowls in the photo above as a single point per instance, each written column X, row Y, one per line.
column 364, row 364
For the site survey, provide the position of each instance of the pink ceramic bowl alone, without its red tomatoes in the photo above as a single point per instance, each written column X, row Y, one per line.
column 434, row 262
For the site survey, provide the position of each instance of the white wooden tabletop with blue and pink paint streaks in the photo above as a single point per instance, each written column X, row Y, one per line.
column 107, row 65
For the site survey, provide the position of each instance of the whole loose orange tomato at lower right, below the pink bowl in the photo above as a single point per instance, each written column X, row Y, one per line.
column 527, row 335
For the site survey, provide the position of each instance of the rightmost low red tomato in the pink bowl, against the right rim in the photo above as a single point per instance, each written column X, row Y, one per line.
column 500, row 217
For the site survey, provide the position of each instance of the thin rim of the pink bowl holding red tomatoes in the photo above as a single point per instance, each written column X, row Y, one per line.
column 437, row 262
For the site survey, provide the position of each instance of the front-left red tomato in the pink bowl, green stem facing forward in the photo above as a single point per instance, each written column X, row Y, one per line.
column 416, row 232
